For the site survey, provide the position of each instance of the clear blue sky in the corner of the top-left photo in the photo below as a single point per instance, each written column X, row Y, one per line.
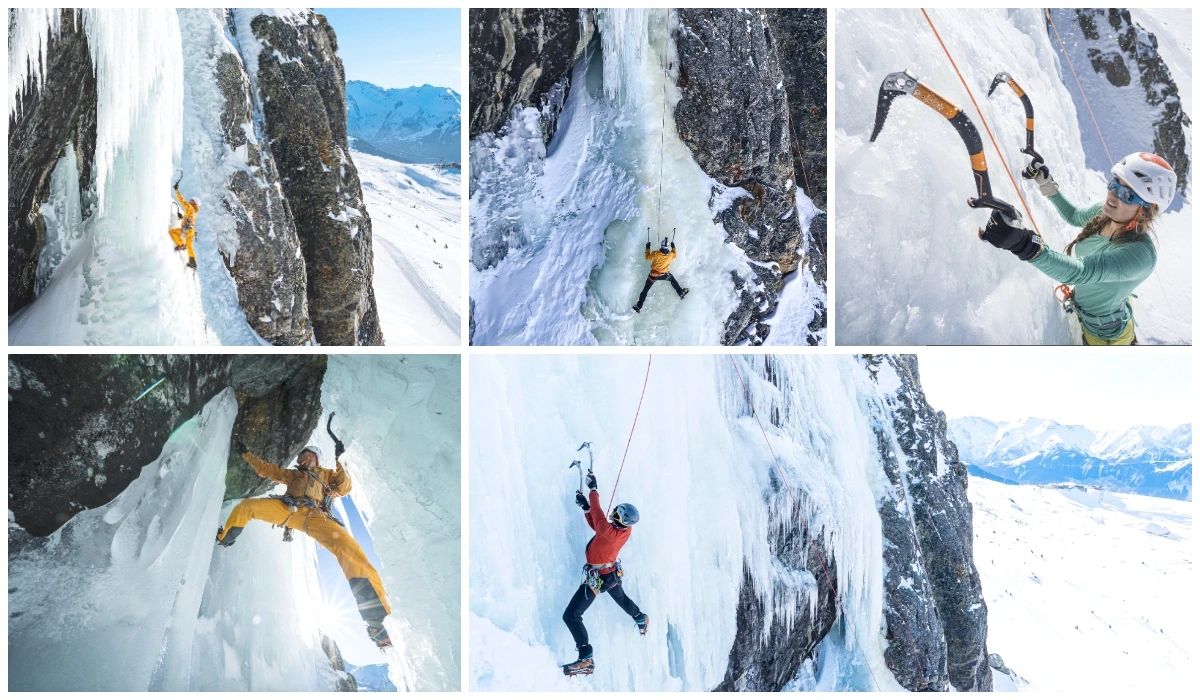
column 399, row 49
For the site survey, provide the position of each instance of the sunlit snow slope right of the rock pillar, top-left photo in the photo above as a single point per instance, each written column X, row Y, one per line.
column 416, row 216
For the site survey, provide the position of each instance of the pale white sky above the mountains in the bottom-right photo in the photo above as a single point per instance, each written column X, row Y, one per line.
column 1097, row 390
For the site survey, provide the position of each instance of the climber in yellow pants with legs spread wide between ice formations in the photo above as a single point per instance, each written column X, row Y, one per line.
column 307, row 506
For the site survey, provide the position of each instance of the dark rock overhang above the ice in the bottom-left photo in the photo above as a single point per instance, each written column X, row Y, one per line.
column 82, row 427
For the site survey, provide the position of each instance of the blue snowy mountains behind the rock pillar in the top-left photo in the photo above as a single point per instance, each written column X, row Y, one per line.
column 415, row 125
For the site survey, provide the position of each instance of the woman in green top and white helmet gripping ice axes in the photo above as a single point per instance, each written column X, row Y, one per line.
column 1113, row 254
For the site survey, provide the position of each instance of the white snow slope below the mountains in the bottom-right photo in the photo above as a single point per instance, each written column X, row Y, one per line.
column 1089, row 591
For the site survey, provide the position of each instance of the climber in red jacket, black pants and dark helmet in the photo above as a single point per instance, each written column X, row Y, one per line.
column 602, row 573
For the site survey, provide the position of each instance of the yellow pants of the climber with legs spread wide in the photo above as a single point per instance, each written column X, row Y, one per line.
column 328, row 535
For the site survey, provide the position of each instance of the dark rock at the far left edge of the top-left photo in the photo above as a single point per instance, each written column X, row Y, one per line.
column 49, row 119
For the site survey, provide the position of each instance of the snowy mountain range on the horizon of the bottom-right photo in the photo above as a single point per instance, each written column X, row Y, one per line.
column 1148, row 460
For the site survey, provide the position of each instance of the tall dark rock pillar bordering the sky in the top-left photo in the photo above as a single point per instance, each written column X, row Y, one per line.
column 303, row 91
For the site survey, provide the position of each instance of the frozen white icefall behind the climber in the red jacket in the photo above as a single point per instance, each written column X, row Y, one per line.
column 718, row 493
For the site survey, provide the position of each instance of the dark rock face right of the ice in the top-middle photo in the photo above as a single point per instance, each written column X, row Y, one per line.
column 731, row 81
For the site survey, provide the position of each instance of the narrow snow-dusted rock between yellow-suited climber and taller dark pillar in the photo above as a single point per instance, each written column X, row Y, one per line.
column 272, row 278
